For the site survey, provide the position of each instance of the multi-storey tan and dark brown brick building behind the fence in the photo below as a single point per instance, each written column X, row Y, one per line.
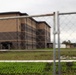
column 24, row 33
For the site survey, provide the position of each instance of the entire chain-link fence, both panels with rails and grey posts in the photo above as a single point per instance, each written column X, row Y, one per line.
column 34, row 42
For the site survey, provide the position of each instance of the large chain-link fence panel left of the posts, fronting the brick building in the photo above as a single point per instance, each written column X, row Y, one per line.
column 29, row 38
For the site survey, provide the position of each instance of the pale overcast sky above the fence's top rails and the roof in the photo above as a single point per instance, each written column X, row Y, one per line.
column 38, row 6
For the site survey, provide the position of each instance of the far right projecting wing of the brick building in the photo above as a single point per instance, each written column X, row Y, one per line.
column 43, row 35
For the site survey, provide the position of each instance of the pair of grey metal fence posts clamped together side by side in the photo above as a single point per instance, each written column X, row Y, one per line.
column 56, row 30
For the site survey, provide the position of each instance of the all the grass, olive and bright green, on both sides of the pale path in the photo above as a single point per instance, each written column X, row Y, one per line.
column 15, row 68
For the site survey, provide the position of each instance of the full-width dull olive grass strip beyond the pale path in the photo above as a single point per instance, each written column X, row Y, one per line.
column 35, row 55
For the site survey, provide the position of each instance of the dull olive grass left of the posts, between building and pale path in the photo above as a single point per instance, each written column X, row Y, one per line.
column 25, row 55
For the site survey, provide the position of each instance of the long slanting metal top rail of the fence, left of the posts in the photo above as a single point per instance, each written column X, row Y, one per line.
column 27, row 16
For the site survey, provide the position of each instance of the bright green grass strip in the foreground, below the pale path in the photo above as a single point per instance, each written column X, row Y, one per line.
column 15, row 68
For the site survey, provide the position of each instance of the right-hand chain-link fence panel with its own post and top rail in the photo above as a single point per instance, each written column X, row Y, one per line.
column 66, row 39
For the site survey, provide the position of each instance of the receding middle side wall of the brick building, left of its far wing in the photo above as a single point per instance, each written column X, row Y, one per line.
column 29, row 30
